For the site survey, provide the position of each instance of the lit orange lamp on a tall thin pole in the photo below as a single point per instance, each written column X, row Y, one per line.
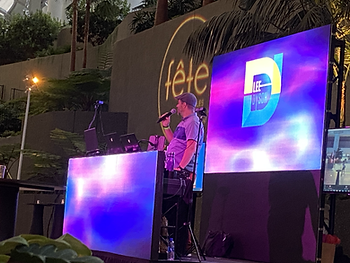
column 29, row 86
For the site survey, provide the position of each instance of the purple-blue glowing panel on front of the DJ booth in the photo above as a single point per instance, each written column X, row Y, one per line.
column 110, row 202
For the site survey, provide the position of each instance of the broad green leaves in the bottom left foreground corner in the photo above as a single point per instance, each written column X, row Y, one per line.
column 39, row 249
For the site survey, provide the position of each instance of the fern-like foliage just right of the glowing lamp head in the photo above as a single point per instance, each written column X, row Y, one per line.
column 77, row 92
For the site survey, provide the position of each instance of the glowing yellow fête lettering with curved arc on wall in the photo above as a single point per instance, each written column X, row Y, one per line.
column 178, row 73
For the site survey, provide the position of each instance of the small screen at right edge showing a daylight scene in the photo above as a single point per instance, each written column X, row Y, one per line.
column 337, row 170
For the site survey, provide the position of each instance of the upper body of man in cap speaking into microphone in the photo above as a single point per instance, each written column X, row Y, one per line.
column 183, row 142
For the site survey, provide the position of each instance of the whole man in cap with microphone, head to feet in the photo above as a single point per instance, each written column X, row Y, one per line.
column 183, row 142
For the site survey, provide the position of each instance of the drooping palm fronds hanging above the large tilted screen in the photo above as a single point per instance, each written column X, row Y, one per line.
column 254, row 21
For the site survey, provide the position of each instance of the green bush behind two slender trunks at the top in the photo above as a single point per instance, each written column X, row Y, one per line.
column 105, row 15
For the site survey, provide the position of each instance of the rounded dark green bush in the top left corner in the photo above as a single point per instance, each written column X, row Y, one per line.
column 23, row 36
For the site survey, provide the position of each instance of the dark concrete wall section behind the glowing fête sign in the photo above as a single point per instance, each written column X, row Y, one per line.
column 148, row 60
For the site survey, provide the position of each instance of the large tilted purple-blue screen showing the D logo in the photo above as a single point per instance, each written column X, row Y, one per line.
column 267, row 105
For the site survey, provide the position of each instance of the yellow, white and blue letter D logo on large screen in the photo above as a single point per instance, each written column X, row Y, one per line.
column 262, row 88
